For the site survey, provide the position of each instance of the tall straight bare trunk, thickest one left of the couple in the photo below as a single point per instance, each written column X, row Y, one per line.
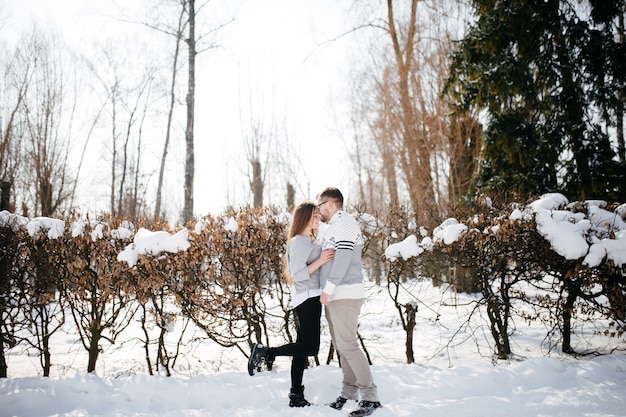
column 189, row 160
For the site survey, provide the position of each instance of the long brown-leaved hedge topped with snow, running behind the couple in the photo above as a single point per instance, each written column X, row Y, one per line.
column 558, row 262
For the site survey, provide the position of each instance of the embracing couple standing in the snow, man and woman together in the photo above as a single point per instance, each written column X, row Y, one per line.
column 329, row 274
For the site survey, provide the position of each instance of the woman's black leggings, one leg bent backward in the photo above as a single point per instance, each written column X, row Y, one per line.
column 307, row 341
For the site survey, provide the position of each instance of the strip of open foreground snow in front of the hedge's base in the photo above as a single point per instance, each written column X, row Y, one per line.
column 535, row 387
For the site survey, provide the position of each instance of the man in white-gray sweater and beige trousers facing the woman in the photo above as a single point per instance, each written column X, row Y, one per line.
column 343, row 296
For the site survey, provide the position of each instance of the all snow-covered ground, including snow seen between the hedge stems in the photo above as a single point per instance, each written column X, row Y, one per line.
column 451, row 377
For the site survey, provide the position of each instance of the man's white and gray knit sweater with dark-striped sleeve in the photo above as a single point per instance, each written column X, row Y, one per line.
column 342, row 278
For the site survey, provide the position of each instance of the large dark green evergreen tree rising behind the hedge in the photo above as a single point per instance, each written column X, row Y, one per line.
column 531, row 67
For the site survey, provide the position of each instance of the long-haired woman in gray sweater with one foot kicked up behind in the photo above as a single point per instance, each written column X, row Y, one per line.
column 303, row 261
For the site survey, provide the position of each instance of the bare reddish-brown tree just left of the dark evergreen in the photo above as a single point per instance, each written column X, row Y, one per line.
column 404, row 110
